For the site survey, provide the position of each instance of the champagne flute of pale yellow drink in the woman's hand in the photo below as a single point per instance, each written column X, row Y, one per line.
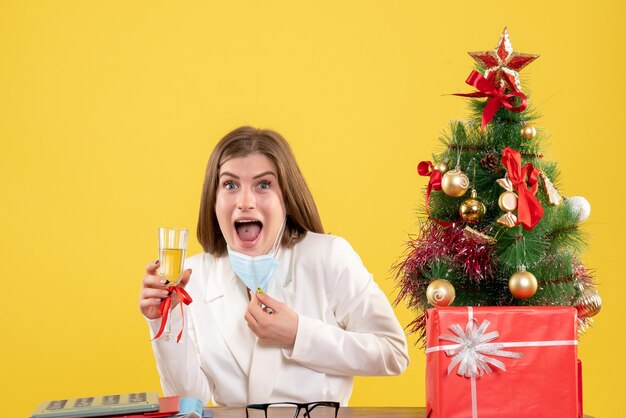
column 172, row 249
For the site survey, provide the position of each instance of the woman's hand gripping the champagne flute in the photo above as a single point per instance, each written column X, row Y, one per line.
column 154, row 290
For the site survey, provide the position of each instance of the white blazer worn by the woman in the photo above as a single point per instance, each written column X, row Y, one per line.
column 346, row 327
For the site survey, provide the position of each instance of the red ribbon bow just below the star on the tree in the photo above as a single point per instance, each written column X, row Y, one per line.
column 497, row 97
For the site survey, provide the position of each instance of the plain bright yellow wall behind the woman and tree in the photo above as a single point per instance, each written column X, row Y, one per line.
column 109, row 109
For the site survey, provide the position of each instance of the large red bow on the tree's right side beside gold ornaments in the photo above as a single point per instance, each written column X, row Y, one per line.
column 525, row 181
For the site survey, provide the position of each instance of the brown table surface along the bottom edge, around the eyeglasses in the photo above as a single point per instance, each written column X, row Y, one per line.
column 344, row 412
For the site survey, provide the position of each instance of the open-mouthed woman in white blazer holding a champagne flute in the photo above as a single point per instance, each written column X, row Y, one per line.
column 314, row 318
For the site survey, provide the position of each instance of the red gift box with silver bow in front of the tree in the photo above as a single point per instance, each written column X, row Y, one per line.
column 511, row 362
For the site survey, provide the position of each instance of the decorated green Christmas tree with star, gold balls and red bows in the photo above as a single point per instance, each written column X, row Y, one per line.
column 496, row 231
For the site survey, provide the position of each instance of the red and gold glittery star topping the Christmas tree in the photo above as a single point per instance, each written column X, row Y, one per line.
column 502, row 63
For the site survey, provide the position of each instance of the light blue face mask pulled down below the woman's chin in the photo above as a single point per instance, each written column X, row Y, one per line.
column 257, row 271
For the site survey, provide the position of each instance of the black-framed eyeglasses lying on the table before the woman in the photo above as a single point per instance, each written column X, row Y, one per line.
column 322, row 409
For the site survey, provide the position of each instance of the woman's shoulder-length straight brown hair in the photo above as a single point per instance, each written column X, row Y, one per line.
column 302, row 215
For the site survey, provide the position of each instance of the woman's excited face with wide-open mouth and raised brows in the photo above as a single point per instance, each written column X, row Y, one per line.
column 249, row 205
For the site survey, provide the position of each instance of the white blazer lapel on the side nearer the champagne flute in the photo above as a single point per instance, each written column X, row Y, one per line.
column 228, row 300
